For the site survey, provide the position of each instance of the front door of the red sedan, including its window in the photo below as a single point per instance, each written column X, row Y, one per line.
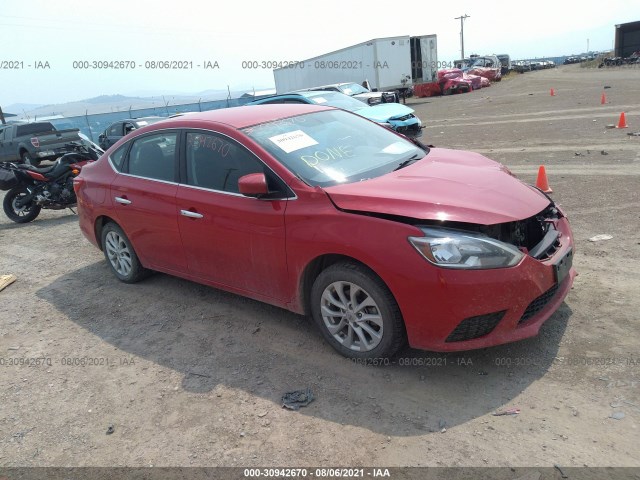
column 231, row 239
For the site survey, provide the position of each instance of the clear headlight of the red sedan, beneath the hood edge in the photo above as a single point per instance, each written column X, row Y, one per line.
column 450, row 248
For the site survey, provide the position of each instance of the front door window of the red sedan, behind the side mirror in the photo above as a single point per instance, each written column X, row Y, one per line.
column 217, row 162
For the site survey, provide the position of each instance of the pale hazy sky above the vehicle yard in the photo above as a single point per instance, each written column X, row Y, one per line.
column 43, row 39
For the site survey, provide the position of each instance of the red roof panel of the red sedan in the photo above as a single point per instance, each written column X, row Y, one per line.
column 241, row 117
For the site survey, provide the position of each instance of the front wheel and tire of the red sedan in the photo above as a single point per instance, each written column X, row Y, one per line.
column 333, row 295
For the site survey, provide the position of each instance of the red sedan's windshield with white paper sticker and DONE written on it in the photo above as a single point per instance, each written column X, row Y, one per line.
column 334, row 147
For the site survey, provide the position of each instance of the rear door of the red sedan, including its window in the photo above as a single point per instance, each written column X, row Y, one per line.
column 143, row 197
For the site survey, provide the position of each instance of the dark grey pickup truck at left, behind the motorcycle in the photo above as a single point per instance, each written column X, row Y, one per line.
column 33, row 142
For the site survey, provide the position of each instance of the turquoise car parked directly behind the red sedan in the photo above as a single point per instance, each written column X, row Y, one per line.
column 392, row 115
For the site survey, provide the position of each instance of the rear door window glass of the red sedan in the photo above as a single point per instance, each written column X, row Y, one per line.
column 154, row 156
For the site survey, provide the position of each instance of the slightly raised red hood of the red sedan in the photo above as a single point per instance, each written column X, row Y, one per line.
column 446, row 185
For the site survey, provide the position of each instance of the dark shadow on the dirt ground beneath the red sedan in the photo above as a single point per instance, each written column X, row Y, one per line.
column 213, row 338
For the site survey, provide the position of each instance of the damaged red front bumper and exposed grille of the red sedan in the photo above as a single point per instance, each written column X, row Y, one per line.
column 469, row 309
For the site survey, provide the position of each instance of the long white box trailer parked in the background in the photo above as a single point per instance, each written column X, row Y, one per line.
column 391, row 63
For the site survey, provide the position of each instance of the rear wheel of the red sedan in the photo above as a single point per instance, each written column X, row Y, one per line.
column 121, row 256
